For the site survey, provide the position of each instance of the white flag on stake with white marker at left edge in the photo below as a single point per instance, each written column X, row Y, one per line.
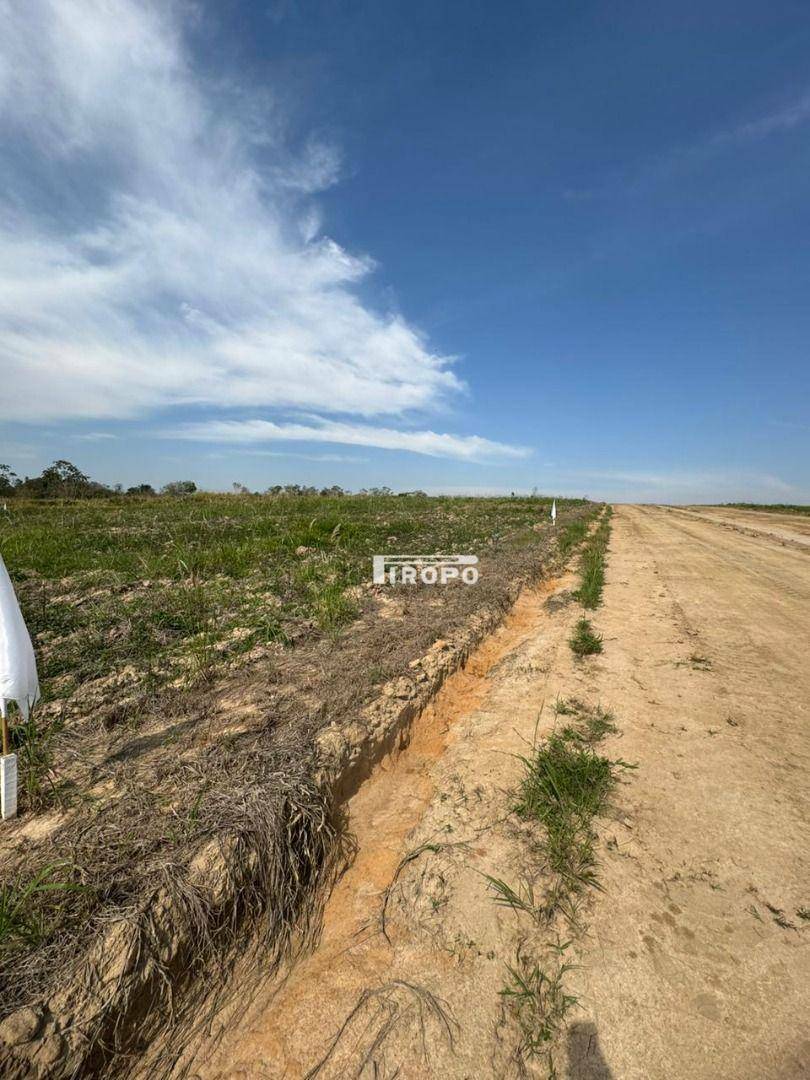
column 18, row 683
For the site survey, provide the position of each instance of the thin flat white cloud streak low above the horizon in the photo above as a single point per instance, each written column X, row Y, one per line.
column 318, row 430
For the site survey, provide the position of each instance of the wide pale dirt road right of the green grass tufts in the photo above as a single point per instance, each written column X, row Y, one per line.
column 697, row 963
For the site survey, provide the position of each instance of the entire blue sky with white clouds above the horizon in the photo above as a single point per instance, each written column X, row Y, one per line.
column 457, row 247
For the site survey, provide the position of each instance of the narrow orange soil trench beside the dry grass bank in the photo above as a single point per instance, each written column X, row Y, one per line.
column 382, row 815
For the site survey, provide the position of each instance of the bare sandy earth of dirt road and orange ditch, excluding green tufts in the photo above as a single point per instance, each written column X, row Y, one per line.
column 694, row 962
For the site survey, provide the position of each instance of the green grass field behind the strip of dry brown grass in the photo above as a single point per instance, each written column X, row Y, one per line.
column 168, row 590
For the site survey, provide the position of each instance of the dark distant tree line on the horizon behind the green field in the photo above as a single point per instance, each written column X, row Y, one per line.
column 63, row 480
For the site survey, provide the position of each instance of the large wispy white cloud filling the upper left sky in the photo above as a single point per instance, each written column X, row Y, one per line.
column 160, row 247
